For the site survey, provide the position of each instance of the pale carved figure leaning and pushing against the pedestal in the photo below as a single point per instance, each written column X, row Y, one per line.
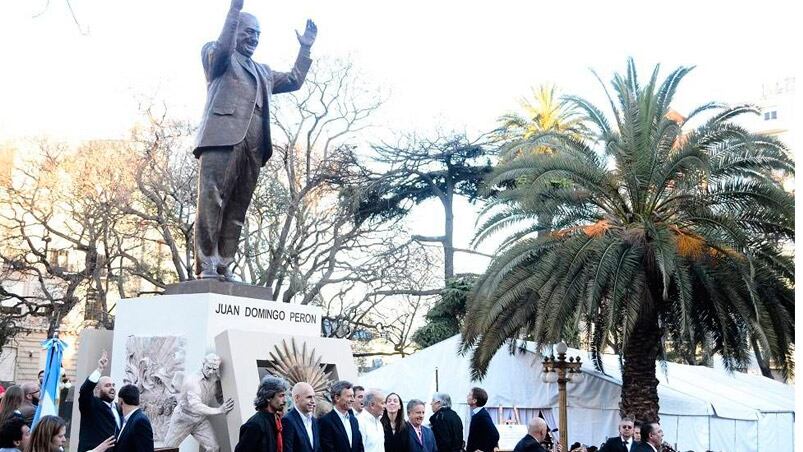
column 198, row 392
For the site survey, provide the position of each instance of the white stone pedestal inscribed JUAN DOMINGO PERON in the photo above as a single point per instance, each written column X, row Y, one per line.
column 156, row 339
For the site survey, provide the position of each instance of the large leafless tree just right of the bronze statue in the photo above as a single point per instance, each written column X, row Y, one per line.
column 302, row 237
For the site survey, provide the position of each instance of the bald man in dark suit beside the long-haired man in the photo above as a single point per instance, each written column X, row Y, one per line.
column 299, row 426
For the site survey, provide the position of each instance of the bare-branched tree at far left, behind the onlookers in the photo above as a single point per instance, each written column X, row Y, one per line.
column 58, row 220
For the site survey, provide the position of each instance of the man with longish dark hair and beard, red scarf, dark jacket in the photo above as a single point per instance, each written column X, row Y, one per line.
column 263, row 431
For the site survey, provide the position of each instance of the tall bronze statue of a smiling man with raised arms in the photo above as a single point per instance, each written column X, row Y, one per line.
column 233, row 140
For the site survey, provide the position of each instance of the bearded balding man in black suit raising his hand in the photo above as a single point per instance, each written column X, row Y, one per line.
column 100, row 416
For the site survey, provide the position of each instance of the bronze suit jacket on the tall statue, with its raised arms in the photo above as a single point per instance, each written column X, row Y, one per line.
column 233, row 82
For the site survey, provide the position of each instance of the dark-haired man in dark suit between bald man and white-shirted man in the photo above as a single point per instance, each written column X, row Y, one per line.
column 340, row 431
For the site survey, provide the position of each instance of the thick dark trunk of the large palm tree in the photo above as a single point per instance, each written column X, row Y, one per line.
column 639, row 385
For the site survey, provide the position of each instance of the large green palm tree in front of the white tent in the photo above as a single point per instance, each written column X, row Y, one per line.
column 656, row 235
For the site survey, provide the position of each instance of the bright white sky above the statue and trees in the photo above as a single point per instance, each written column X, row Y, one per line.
column 444, row 64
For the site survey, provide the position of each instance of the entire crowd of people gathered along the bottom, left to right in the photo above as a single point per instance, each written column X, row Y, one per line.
column 360, row 421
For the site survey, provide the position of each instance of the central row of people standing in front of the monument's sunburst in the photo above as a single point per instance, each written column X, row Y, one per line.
column 361, row 421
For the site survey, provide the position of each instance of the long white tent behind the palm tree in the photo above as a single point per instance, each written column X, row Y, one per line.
column 701, row 408
